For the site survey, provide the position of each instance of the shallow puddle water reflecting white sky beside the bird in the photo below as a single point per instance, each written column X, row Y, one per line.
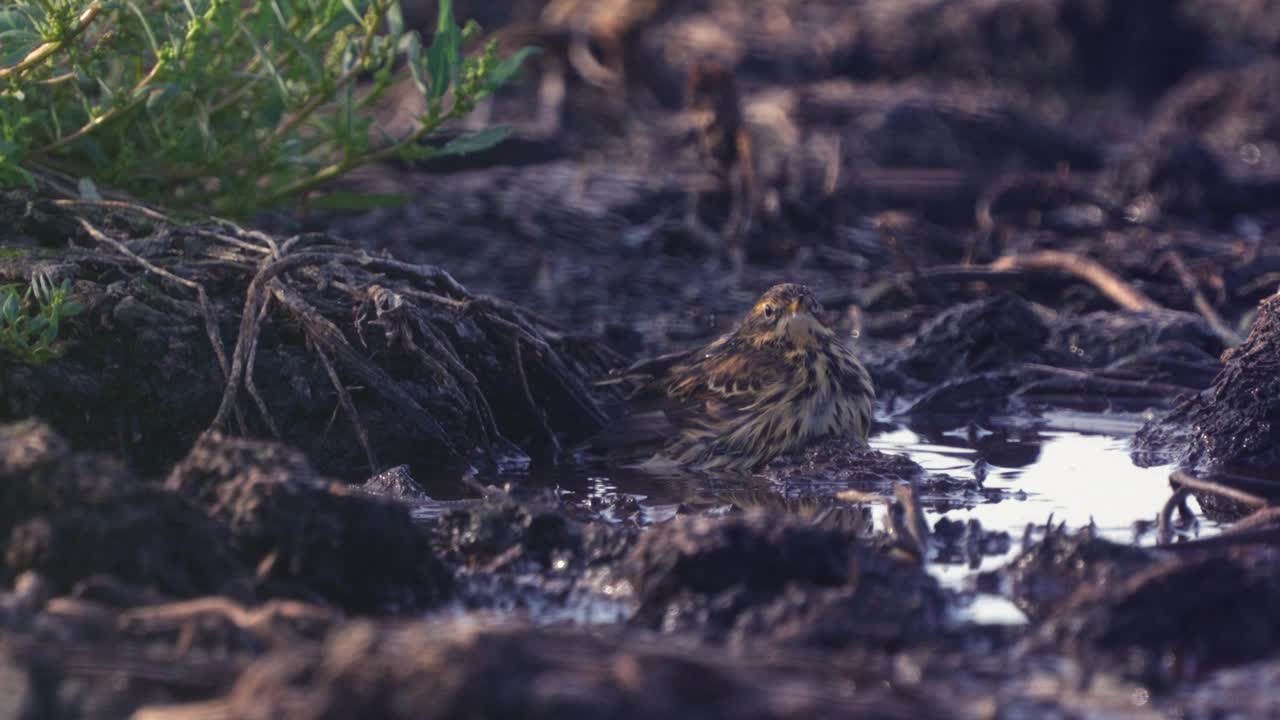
column 1072, row 467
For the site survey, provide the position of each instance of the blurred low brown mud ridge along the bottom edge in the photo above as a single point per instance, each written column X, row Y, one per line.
column 452, row 672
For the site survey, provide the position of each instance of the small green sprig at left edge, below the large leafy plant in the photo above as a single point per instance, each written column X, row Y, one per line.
column 31, row 320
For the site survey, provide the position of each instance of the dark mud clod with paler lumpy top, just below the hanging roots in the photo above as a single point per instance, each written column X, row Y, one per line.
column 310, row 537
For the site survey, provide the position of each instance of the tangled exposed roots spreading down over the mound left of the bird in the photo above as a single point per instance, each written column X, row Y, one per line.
column 437, row 361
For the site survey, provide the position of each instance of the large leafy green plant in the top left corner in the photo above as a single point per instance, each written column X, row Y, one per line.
column 225, row 106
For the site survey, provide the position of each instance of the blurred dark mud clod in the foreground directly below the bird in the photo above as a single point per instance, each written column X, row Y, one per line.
column 774, row 576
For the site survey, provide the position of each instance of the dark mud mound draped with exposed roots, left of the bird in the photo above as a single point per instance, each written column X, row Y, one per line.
column 354, row 358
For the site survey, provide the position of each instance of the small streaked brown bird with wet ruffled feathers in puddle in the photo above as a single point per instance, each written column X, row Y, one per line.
column 778, row 382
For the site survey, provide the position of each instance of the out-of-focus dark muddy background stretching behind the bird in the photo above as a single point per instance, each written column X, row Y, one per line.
column 671, row 158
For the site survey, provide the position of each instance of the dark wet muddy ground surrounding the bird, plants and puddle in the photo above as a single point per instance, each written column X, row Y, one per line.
column 212, row 505
